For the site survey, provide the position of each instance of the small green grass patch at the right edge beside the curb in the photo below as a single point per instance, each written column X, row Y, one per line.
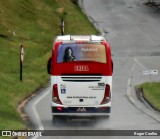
column 152, row 93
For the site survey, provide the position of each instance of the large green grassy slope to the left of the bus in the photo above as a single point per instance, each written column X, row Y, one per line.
column 35, row 24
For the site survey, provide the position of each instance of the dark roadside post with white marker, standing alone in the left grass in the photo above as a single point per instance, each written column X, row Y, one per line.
column 21, row 61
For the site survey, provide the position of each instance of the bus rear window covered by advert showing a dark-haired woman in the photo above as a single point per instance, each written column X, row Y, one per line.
column 81, row 52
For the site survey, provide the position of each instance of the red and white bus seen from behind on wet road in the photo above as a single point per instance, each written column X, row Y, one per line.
column 81, row 76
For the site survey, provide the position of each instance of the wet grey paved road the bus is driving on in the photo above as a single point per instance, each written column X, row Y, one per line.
column 133, row 31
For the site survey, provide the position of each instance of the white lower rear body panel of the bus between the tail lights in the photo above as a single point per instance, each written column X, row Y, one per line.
column 81, row 94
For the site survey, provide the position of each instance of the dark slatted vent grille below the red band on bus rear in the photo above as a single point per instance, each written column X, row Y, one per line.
column 81, row 78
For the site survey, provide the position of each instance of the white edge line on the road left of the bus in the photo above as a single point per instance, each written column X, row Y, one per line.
column 40, row 125
